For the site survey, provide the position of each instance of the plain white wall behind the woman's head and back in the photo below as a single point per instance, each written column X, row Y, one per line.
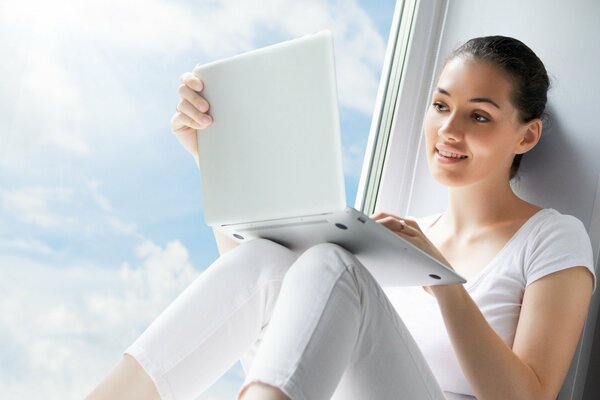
column 562, row 172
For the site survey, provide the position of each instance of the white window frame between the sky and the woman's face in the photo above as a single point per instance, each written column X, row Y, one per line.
column 386, row 182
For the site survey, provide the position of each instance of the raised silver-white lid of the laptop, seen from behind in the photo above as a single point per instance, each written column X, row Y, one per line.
column 274, row 148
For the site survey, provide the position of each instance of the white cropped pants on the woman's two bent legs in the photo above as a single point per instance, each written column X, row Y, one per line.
column 316, row 326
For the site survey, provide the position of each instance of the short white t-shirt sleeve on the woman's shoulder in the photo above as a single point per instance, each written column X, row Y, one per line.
column 561, row 242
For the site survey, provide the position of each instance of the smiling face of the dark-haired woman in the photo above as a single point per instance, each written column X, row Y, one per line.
column 472, row 129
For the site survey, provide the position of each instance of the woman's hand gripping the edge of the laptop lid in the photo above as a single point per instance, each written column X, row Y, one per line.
column 191, row 113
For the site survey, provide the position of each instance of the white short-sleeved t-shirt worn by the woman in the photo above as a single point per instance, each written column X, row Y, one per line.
column 546, row 243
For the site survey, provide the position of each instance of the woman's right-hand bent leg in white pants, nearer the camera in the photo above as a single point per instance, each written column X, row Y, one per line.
column 334, row 333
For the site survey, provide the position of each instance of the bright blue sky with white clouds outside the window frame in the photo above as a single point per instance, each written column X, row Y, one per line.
column 101, row 222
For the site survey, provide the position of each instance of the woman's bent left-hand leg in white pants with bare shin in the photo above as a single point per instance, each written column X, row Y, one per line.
column 205, row 330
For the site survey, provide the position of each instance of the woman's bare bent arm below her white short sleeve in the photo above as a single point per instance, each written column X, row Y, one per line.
column 552, row 317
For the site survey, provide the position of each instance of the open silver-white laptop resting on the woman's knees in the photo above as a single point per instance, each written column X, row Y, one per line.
column 271, row 164
